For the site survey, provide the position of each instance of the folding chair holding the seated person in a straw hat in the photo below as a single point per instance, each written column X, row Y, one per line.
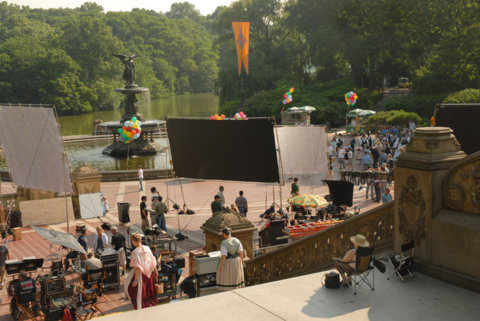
column 363, row 268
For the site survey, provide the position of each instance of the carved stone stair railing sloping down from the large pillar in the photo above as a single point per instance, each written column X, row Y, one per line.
column 315, row 252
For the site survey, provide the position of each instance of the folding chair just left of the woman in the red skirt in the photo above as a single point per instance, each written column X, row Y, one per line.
column 90, row 290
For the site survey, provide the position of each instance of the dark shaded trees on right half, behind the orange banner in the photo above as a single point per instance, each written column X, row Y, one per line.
column 308, row 43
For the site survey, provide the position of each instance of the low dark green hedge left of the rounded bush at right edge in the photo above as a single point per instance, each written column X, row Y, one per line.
column 423, row 105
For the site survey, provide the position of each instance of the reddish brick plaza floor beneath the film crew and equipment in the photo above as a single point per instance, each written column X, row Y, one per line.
column 198, row 196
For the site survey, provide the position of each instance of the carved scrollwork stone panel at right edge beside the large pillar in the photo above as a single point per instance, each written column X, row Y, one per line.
column 462, row 185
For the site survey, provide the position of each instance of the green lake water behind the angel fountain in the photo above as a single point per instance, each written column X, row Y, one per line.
column 197, row 105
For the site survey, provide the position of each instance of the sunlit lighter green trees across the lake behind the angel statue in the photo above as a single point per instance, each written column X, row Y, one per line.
column 64, row 56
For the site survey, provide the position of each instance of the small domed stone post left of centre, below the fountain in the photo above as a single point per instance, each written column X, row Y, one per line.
column 86, row 179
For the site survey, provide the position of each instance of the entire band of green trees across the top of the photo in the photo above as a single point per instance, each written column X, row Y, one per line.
column 323, row 48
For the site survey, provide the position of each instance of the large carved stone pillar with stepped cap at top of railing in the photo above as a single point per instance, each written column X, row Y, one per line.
column 419, row 177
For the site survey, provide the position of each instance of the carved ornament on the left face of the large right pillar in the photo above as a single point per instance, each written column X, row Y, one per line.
column 412, row 212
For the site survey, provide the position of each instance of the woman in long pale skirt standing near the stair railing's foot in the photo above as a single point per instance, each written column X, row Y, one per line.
column 230, row 274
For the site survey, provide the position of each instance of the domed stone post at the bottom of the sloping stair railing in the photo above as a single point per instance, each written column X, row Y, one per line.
column 241, row 228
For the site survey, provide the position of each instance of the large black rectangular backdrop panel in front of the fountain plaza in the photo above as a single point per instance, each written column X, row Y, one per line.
column 235, row 150
